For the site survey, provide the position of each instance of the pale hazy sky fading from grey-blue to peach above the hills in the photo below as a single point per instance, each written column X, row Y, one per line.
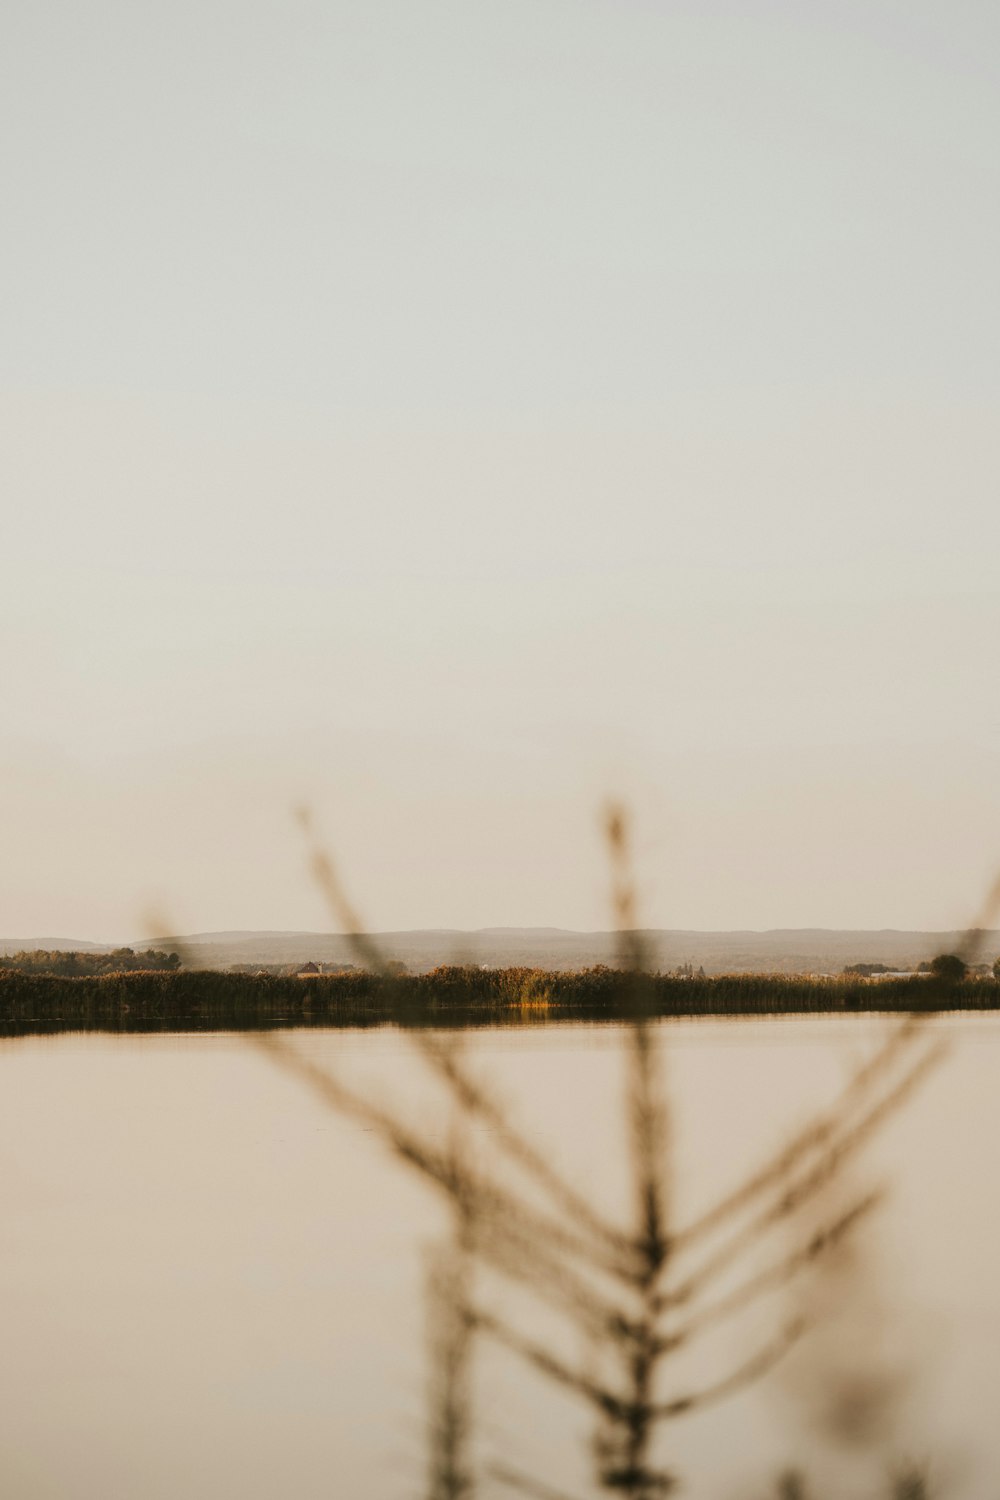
column 452, row 412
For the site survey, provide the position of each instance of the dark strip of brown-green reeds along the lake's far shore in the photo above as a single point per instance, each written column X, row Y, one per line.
column 449, row 997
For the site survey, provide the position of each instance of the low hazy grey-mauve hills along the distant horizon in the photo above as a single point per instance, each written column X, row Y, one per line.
column 780, row 950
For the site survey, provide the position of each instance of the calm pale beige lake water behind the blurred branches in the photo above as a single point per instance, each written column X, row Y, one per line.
column 212, row 1285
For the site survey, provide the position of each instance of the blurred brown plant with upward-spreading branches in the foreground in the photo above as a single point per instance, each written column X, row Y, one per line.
column 638, row 1294
